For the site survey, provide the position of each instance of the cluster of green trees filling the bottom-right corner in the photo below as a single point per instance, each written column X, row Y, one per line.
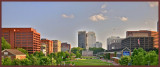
column 140, row 57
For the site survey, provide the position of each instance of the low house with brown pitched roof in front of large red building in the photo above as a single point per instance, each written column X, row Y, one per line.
column 13, row 54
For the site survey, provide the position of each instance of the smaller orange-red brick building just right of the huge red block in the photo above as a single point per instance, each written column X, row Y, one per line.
column 49, row 45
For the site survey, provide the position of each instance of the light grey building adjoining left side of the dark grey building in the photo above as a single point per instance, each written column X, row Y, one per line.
column 113, row 41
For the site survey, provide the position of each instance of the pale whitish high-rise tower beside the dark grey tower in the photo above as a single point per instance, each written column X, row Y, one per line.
column 91, row 39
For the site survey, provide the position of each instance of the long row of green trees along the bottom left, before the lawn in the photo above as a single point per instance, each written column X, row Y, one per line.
column 38, row 58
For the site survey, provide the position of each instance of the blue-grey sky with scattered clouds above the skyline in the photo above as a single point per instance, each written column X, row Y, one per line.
column 62, row 20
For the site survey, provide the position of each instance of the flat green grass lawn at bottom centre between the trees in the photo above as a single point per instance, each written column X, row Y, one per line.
column 90, row 62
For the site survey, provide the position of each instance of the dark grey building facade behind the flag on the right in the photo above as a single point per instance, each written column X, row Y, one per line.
column 138, row 42
